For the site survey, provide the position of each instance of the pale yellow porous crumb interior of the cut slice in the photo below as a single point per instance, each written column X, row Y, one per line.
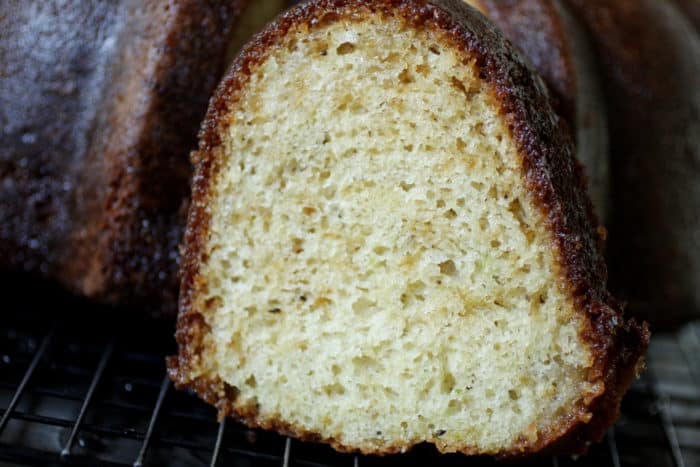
column 378, row 272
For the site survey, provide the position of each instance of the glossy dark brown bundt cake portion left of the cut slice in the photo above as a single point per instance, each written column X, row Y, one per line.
column 100, row 104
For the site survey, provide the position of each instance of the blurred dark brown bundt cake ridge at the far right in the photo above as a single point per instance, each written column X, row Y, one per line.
column 649, row 60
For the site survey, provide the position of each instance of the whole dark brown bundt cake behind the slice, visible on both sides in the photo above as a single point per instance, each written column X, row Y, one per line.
column 96, row 120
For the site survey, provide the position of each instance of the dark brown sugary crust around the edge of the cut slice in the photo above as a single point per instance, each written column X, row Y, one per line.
column 552, row 176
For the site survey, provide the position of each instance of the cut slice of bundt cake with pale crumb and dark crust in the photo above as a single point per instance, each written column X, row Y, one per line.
column 389, row 243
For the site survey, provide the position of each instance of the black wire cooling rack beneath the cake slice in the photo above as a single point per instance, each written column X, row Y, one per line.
column 81, row 385
